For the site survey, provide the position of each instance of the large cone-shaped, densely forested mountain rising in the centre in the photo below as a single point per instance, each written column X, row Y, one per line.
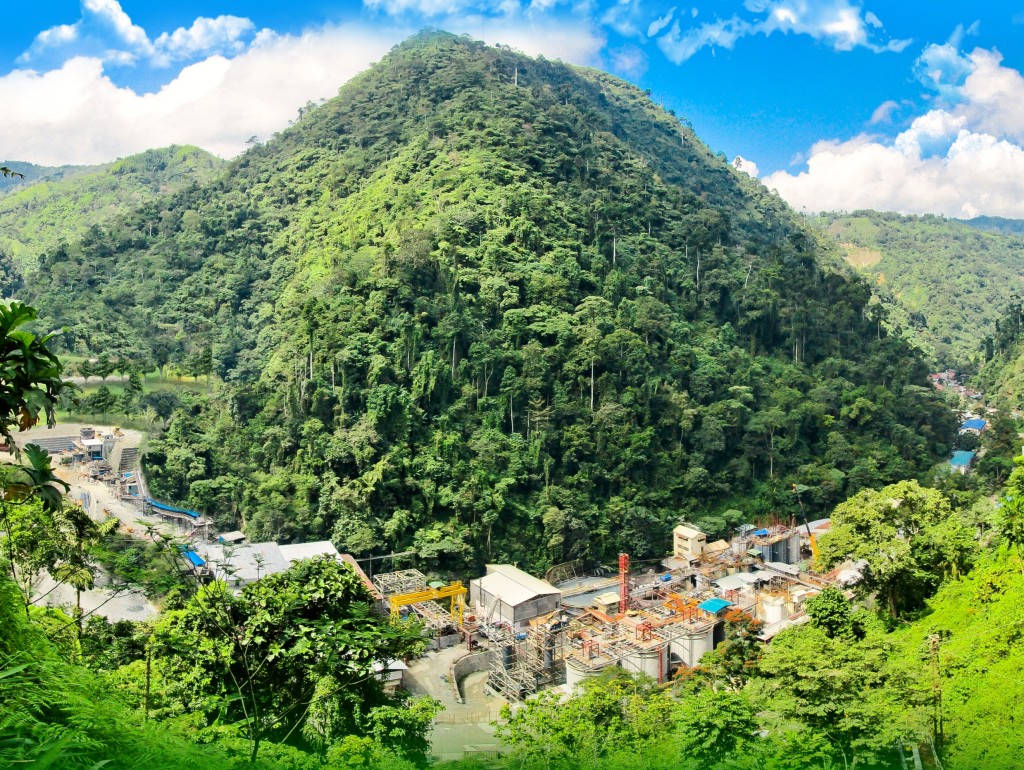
column 495, row 308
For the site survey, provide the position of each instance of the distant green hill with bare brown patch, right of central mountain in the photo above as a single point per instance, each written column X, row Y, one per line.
column 943, row 281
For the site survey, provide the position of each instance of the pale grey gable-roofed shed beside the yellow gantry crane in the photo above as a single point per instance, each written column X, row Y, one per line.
column 506, row 594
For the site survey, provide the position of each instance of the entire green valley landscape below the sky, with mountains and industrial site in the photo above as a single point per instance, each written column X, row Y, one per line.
column 483, row 418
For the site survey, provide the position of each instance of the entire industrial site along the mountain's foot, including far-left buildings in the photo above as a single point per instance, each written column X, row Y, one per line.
column 526, row 632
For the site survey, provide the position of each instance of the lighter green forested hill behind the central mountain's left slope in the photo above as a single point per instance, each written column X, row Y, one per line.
column 54, row 205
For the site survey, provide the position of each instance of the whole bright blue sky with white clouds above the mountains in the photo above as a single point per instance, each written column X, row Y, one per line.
column 838, row 104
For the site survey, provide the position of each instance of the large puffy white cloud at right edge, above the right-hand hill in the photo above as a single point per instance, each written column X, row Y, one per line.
column 963, row 158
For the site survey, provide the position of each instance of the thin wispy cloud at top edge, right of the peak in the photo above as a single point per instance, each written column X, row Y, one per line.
column 838, row 23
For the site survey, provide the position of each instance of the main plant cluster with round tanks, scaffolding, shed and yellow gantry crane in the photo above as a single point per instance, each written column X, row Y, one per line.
column 532, row 634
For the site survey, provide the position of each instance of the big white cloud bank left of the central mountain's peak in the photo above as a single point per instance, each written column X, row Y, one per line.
column 75, row 114
